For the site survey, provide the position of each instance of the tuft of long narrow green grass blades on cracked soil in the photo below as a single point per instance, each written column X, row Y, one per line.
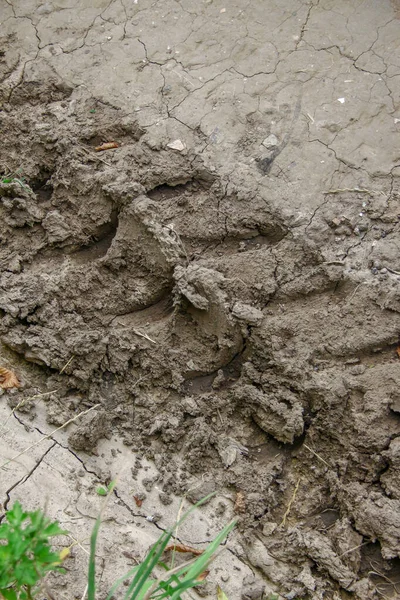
column 141, row 582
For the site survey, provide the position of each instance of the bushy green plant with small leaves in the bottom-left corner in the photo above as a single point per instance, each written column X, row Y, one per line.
column 25, row 552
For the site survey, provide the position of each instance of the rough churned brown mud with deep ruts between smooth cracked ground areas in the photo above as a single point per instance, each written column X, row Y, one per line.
column 215, row 336
